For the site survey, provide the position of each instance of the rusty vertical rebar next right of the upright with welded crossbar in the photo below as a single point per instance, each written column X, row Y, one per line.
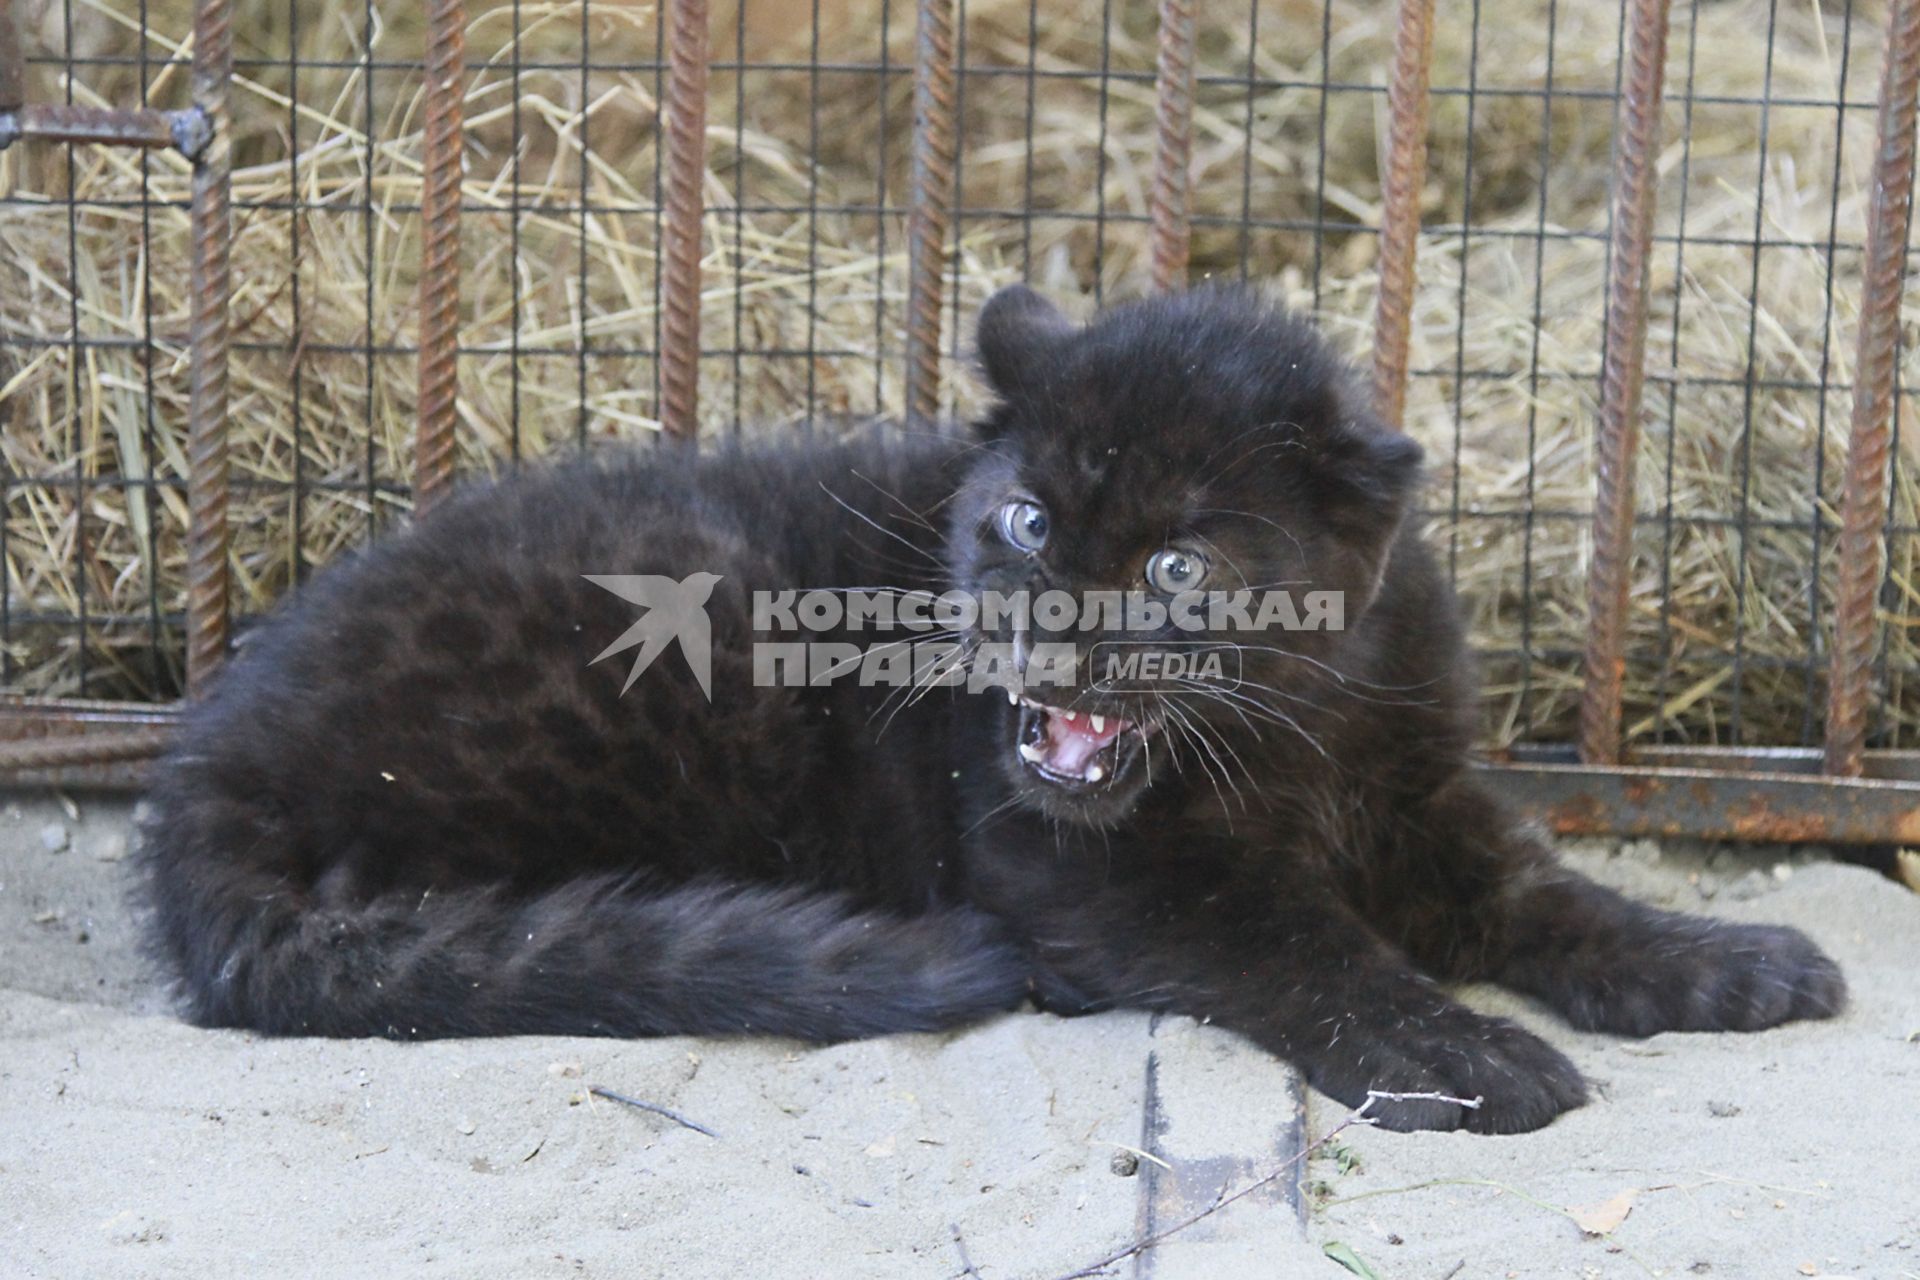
column 441, row 252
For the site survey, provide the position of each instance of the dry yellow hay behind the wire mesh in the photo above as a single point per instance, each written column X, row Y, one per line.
column 1512, row 437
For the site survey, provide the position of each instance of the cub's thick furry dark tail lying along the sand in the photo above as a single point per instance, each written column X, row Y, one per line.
column 596, row 957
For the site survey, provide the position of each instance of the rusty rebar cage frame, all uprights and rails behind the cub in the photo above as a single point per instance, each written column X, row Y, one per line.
column 1836, row 794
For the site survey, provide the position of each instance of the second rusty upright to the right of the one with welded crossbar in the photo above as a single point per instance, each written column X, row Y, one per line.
column 686, row 174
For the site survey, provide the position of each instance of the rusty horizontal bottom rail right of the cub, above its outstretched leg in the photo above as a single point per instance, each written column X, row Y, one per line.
column 1712, row 805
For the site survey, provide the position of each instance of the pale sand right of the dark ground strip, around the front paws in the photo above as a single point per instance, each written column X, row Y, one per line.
column 1785, row 1154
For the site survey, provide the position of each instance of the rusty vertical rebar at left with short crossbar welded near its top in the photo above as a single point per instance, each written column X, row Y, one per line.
column 208, row 343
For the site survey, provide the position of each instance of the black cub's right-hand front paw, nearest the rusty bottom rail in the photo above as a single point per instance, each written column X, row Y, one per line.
column 1708, row 976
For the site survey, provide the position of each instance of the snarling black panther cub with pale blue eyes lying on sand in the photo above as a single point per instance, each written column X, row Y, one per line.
column 418, row 805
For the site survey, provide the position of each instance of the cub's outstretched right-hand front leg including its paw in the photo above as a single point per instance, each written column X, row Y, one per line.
column 1491, row 903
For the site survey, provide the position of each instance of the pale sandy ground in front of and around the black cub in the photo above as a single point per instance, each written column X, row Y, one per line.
column 137, row 1147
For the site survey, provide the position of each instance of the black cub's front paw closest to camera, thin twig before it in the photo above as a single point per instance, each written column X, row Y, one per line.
column 1520, row 1079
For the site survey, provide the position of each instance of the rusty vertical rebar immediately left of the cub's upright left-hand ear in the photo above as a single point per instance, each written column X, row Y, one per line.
column 926, row 225
